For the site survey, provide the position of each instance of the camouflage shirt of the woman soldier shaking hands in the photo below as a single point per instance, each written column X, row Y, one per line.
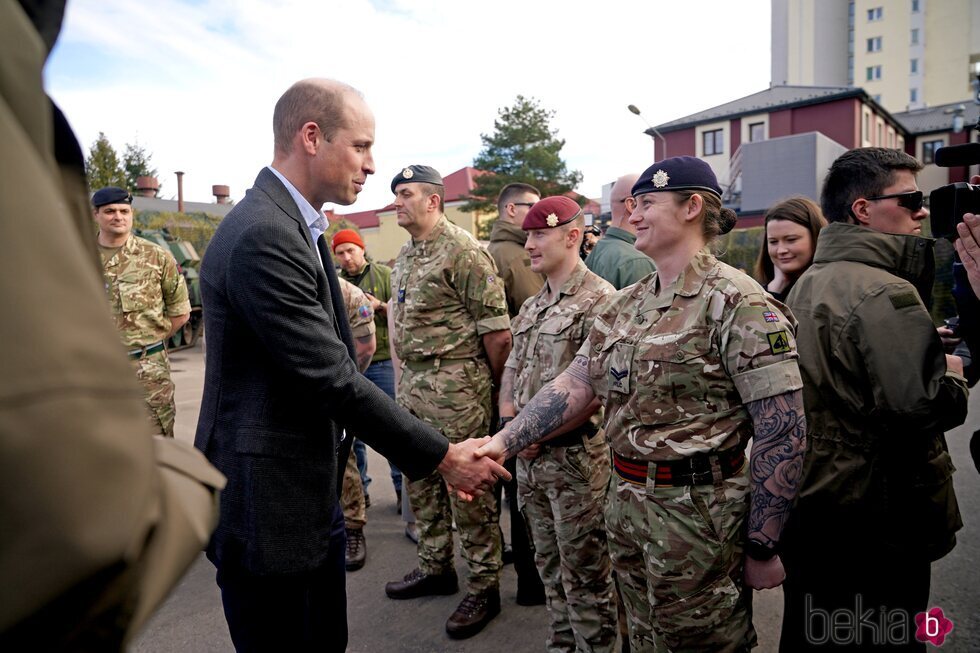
column 675, row 366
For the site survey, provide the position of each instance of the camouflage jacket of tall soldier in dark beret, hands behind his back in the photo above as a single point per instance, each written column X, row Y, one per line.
column 447, row 295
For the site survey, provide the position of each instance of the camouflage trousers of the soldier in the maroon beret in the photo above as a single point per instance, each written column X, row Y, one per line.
column 561, row 493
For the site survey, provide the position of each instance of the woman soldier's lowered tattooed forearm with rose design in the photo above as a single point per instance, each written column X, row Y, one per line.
column 776, row 464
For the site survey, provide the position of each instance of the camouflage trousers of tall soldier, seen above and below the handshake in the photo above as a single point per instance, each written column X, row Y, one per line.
column 455, row 399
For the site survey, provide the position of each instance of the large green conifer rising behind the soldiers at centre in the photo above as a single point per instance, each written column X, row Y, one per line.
column 522, row 148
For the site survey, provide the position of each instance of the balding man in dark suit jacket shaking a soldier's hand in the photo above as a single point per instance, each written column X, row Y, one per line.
column 281, row 384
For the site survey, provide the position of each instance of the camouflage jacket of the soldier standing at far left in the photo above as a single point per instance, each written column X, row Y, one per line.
column 145, row 290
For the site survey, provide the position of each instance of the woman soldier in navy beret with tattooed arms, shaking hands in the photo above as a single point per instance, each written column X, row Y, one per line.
column 690, row 362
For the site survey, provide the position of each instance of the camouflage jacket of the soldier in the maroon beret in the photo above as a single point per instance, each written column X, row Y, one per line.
column 549, row 331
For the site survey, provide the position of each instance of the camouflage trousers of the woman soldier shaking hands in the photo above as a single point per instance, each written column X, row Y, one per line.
column 678, row 555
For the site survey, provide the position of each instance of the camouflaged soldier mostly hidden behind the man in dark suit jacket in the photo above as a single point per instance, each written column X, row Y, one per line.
column 361, row 317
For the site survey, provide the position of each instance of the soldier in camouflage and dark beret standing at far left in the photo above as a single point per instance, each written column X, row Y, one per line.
column 147, row 296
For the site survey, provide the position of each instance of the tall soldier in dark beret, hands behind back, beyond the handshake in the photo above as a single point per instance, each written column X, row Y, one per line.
column 451, row 334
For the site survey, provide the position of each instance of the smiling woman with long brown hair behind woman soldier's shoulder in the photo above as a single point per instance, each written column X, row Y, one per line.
column 792, row 227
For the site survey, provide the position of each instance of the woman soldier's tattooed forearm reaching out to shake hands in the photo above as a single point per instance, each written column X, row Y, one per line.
column 555, row 403
